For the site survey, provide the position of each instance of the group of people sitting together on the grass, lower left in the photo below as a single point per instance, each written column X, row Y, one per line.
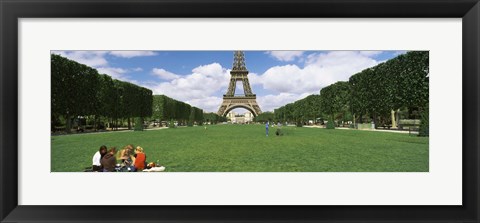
column 106, row 160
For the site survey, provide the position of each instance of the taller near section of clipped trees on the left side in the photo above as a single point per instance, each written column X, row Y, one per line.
column 80, row 91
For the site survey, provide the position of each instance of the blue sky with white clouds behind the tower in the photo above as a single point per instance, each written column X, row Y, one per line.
column 200, row 78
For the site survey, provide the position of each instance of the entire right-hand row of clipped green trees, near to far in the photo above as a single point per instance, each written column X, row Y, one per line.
column 377, row 94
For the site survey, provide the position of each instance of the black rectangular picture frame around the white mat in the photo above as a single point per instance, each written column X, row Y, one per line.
column 12, row 10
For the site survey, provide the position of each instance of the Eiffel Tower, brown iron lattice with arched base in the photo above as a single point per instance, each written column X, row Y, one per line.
column 248, row 100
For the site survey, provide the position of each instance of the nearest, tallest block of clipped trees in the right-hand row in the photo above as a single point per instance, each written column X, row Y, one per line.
column 399, row 83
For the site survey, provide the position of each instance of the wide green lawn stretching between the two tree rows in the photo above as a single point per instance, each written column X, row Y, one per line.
column 245, row 148
